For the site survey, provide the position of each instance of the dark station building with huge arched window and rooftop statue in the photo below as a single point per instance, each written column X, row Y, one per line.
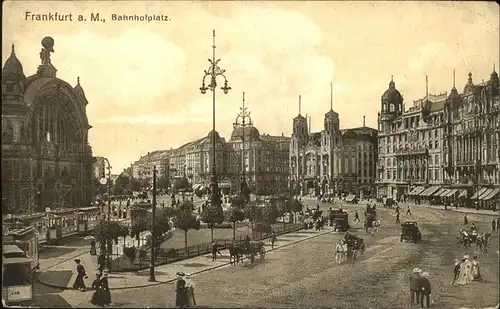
column 46, row 157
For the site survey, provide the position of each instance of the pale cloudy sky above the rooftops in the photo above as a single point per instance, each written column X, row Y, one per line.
column 141, row 79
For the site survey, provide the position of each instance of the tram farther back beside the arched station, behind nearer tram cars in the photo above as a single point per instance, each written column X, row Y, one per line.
column 54, row 225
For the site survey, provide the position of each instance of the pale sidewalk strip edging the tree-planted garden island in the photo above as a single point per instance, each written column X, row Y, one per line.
column 63, row 276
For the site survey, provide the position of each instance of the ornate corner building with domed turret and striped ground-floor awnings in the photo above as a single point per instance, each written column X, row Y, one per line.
column 444, row 146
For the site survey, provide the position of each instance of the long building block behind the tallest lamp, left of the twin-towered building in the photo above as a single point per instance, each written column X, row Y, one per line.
column 265, row 157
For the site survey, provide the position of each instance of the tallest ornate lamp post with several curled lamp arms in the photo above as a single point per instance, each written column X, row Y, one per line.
column 214, row 71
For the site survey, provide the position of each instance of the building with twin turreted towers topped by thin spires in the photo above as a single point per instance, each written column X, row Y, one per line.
column 334, row 160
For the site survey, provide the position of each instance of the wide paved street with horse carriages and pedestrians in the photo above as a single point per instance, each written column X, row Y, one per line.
column 305, row 274
